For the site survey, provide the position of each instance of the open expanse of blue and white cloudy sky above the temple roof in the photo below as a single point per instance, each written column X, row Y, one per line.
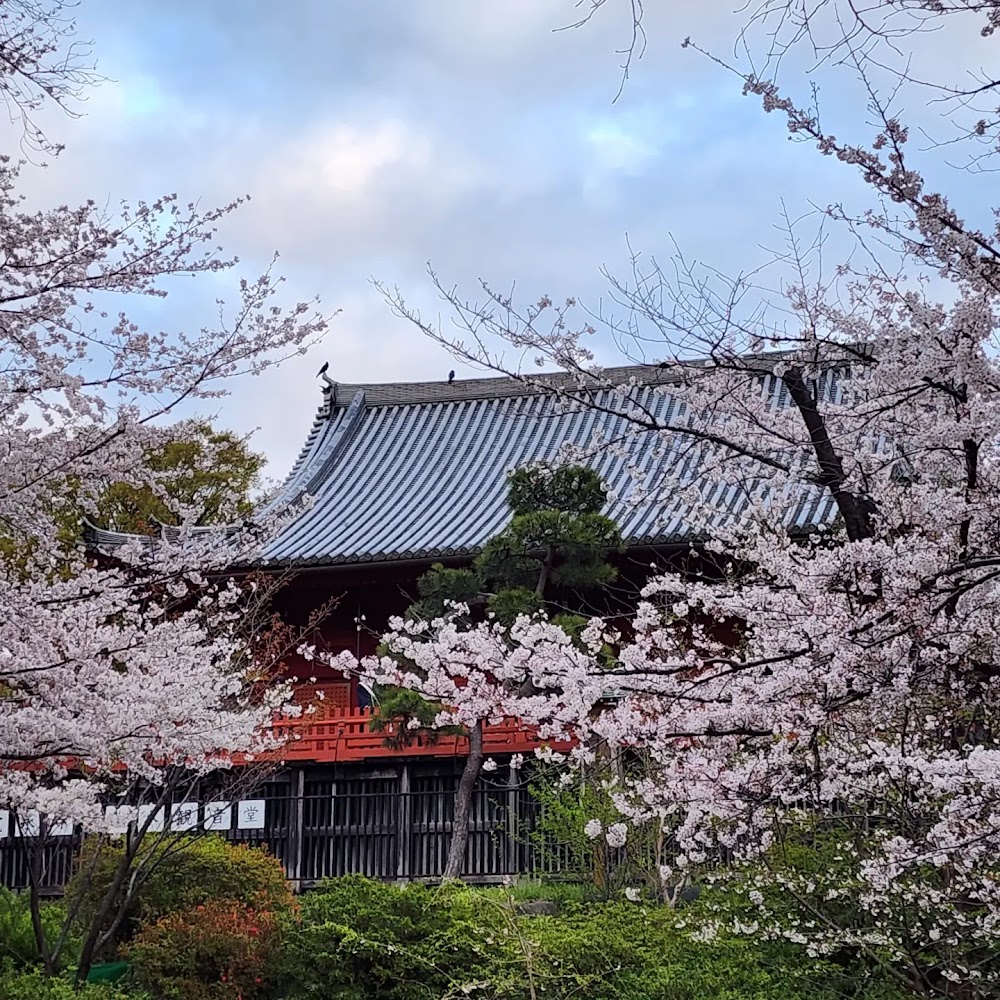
column 377, row 135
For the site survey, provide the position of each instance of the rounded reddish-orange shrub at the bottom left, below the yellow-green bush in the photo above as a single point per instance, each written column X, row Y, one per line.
column 222, row 950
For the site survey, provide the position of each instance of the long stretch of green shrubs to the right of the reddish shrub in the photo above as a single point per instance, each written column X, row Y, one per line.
column 359, row 939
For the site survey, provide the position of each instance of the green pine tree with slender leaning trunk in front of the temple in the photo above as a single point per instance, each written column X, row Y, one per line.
column 557, row 541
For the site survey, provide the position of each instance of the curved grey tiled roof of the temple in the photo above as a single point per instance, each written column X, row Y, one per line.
column 418, row 471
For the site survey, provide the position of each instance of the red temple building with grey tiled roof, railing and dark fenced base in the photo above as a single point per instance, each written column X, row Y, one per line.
column 401, row 476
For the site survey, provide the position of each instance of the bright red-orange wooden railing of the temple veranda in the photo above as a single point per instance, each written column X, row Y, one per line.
column 348, row 736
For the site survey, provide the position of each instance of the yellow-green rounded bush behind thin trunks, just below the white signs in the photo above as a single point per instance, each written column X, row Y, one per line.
column 183, row 873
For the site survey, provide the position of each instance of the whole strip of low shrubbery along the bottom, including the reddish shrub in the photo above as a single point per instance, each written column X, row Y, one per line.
column 355, row 939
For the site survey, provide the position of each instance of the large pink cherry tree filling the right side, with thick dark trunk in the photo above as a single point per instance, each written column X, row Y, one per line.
column 835, row 446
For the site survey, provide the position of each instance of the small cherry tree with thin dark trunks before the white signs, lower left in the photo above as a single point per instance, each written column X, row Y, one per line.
column 125, row 796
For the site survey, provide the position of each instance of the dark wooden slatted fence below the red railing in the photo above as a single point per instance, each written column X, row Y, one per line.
column 394, row 826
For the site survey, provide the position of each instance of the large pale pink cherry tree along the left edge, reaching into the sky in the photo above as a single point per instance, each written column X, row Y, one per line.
column 138, row 669
